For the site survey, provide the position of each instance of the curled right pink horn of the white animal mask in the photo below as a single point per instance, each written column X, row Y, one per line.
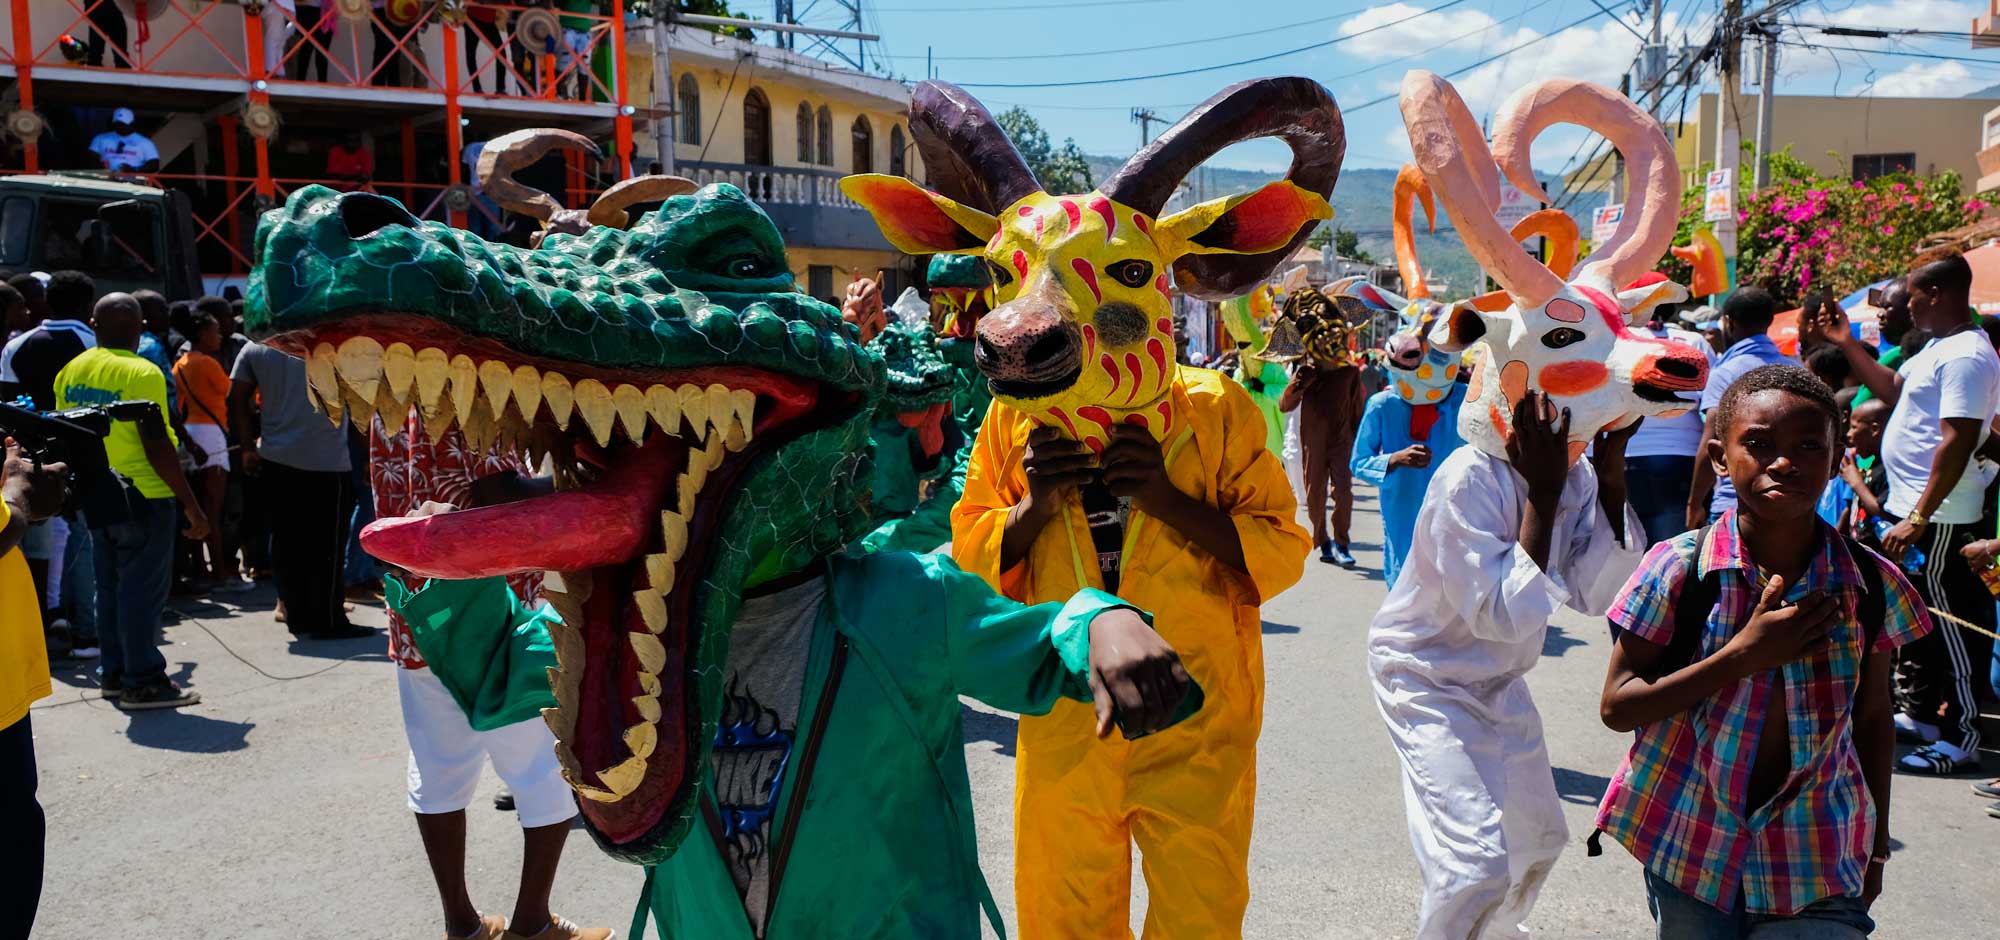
column 1655, row 197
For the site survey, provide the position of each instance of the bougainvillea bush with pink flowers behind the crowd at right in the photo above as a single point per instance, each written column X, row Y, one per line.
column 1829, row 233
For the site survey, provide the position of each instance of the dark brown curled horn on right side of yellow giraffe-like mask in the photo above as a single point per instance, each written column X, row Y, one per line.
column 1297, row 111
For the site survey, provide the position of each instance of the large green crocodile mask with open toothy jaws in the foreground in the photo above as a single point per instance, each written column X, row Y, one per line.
column 709, row 427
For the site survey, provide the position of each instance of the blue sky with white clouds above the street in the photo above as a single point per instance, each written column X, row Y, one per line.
column 983, row 43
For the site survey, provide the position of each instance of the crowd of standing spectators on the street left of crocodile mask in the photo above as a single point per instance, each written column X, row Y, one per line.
column 235, row 479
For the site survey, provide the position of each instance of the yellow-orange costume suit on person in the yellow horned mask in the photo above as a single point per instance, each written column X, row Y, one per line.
column 1185, row 795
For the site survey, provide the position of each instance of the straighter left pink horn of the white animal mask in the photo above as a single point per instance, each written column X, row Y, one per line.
column 1453, row 155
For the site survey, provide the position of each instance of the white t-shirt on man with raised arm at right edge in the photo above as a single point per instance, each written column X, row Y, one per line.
column 1957, row 377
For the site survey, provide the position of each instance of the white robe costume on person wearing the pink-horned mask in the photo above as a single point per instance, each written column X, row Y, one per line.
column 1449, row 651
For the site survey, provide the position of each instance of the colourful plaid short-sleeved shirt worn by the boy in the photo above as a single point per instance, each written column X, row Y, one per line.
column 1679, row 799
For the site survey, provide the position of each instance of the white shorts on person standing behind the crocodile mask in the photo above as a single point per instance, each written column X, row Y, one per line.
column 447, row 757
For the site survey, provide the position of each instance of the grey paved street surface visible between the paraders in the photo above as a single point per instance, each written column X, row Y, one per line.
column 275, row 809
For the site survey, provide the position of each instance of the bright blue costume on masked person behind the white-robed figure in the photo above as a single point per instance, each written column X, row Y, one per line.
column 1387, row 429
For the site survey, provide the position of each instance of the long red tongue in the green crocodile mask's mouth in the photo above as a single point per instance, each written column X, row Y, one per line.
column 591, row 527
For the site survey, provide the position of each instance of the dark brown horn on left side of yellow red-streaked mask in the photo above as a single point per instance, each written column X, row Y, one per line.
column 967, row 157
